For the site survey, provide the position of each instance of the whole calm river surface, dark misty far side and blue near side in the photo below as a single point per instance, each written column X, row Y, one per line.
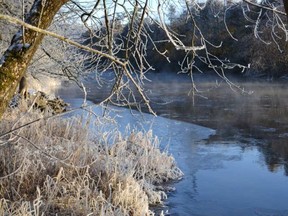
column 242, row 167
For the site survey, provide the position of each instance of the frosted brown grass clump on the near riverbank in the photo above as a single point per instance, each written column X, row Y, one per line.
column 67, row 167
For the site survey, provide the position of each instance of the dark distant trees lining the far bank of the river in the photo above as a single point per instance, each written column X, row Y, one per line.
column 245, row 36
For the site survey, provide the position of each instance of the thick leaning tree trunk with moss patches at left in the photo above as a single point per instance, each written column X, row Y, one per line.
column 17, row 57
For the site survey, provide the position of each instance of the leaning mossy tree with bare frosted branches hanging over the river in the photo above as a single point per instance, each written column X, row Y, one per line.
column 125, row 54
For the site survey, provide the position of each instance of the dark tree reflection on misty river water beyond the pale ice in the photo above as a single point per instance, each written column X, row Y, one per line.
column 262, row 115
